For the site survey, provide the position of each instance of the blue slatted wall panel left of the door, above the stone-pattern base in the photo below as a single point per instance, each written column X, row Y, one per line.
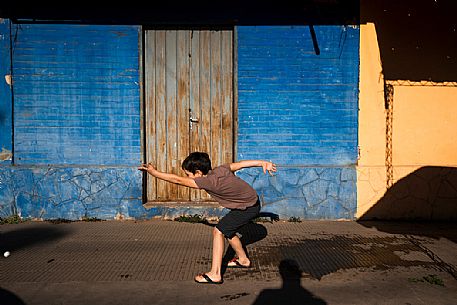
column 76, row 94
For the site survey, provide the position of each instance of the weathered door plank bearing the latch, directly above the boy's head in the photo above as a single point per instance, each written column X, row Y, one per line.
column 195, row 133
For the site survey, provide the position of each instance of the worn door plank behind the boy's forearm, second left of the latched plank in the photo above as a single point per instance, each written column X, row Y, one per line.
column 171, row 99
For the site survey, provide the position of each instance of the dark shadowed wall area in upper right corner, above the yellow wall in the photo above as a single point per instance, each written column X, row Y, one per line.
column 417, row 38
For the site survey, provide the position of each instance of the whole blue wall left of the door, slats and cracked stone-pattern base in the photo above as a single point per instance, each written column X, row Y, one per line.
column 76, row 123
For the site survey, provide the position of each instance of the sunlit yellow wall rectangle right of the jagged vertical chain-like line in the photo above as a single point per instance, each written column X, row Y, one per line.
column 425, row 126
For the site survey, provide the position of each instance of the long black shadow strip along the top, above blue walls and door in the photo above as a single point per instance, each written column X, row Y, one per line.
column 196, row 12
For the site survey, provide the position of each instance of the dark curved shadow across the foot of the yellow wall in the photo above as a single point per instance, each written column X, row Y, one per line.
column 429, row 193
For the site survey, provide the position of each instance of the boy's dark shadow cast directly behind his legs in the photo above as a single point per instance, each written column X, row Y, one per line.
column 249, row 234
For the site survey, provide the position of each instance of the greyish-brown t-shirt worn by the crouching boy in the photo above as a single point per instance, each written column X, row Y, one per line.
column 229, row 190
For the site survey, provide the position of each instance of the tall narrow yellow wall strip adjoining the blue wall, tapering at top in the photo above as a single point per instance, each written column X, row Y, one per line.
column 371, row 172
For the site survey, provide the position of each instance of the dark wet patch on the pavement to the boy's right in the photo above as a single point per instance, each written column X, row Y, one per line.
column 319, row 257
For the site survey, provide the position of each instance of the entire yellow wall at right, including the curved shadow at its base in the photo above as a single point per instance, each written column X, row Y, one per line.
column 424, row 145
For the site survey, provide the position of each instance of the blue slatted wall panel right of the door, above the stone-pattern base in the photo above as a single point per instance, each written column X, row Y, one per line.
column 296, row 107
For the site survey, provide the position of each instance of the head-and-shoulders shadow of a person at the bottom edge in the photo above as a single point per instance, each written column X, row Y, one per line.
column 291, row 291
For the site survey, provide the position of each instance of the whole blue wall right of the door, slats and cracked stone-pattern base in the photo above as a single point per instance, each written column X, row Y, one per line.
column 299, row 109
